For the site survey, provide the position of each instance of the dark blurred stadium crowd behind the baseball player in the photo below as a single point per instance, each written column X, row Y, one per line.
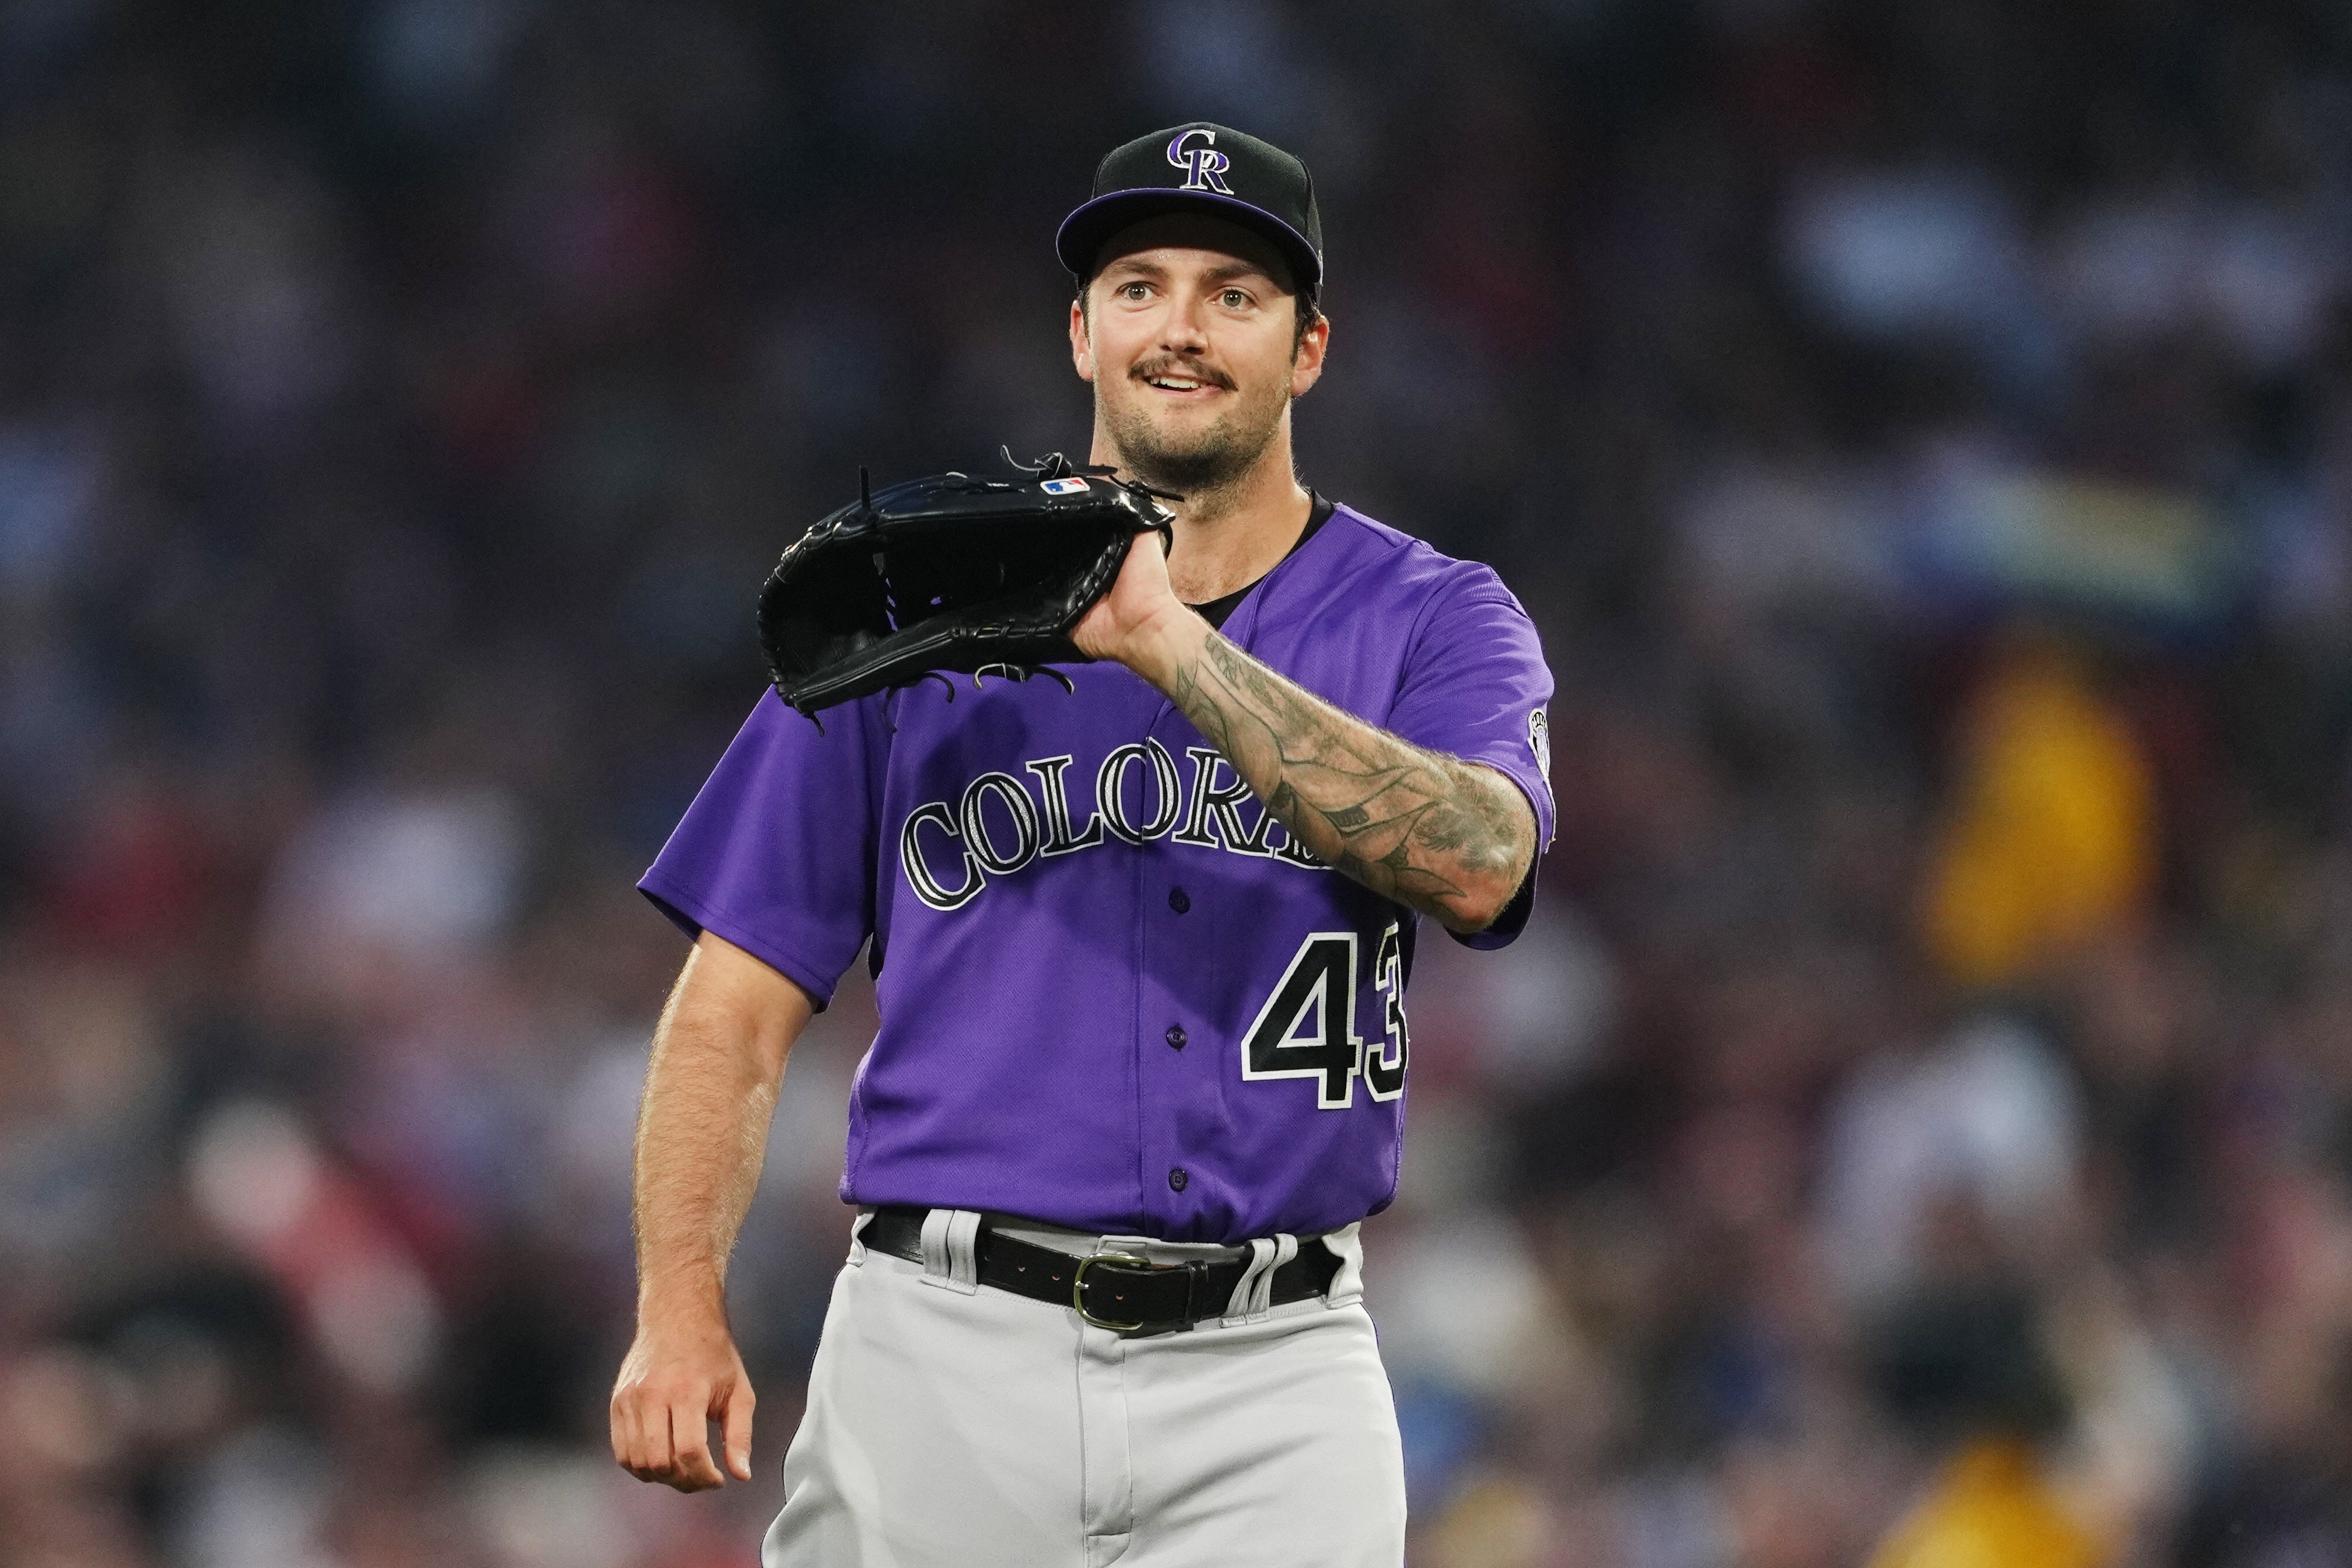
column 1923, row 1108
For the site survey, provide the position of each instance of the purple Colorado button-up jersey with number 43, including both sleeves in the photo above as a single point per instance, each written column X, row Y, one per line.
column 1114, row 993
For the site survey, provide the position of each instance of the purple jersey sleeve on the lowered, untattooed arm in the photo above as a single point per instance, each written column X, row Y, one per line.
column 777, row 852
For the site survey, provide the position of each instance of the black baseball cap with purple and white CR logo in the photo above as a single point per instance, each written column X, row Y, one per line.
column 1201, row 168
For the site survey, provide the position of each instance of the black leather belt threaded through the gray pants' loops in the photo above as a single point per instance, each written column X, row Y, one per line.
column 1109, row 1289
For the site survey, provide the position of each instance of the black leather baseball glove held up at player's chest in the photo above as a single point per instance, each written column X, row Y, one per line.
column 949, row 575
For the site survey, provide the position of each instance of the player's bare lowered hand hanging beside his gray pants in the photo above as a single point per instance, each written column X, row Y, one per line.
column 674, row 1383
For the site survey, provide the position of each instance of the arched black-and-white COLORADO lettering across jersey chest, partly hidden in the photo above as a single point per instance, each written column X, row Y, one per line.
column 1001, row 824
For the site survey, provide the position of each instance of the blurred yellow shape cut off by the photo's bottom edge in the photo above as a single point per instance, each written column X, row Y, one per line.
column 1991, row 1510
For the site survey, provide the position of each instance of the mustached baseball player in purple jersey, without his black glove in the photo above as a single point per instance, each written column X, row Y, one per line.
column 1140, row 956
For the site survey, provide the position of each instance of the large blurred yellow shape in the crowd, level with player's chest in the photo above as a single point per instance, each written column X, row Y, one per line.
column 2054, row 833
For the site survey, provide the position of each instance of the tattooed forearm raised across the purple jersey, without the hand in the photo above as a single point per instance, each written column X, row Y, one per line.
column 1429, row 831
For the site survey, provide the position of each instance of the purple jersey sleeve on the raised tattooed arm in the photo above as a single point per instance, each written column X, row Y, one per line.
column 1476, row 685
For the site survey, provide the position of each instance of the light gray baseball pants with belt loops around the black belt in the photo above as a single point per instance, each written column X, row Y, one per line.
column 961, row 1426
